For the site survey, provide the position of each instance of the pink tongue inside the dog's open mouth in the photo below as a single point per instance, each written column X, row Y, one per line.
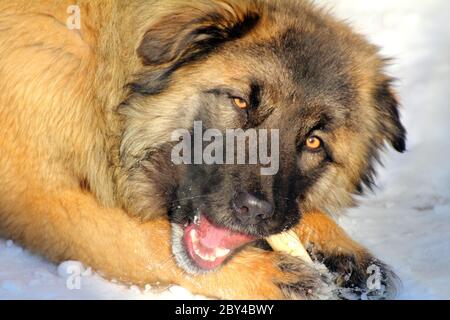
column 213, row 237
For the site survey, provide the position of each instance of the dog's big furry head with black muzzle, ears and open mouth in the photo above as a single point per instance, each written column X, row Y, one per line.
column 252, row 65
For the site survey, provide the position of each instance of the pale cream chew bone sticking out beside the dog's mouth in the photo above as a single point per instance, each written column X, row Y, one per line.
column 289, row 243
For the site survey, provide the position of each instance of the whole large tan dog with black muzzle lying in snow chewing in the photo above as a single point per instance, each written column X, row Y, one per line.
column 87, row 113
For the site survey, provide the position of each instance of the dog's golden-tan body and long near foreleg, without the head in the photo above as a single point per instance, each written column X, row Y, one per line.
column 54, row 136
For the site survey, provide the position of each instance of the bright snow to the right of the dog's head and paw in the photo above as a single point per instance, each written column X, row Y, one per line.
column 407, row 221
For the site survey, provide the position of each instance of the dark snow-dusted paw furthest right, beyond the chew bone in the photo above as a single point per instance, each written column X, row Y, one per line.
column 362, row 277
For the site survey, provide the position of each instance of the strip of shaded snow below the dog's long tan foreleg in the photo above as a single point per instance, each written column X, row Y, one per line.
column 26, row 276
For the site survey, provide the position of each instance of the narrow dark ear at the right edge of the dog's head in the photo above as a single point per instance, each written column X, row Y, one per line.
column 388, row 107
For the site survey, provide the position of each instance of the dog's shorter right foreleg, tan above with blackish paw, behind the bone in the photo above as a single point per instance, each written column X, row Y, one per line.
column 357, row 272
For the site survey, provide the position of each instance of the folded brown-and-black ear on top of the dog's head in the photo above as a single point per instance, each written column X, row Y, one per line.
column 194, row 31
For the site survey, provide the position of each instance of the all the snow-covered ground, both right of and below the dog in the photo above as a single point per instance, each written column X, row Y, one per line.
column 406, row 222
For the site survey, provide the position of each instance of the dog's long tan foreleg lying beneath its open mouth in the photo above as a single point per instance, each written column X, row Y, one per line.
column 71, row 225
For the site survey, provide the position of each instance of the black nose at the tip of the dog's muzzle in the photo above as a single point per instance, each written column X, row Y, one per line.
column 251, row 209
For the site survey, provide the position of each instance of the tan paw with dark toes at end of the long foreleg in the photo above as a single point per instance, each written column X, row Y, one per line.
column 301, row 281
